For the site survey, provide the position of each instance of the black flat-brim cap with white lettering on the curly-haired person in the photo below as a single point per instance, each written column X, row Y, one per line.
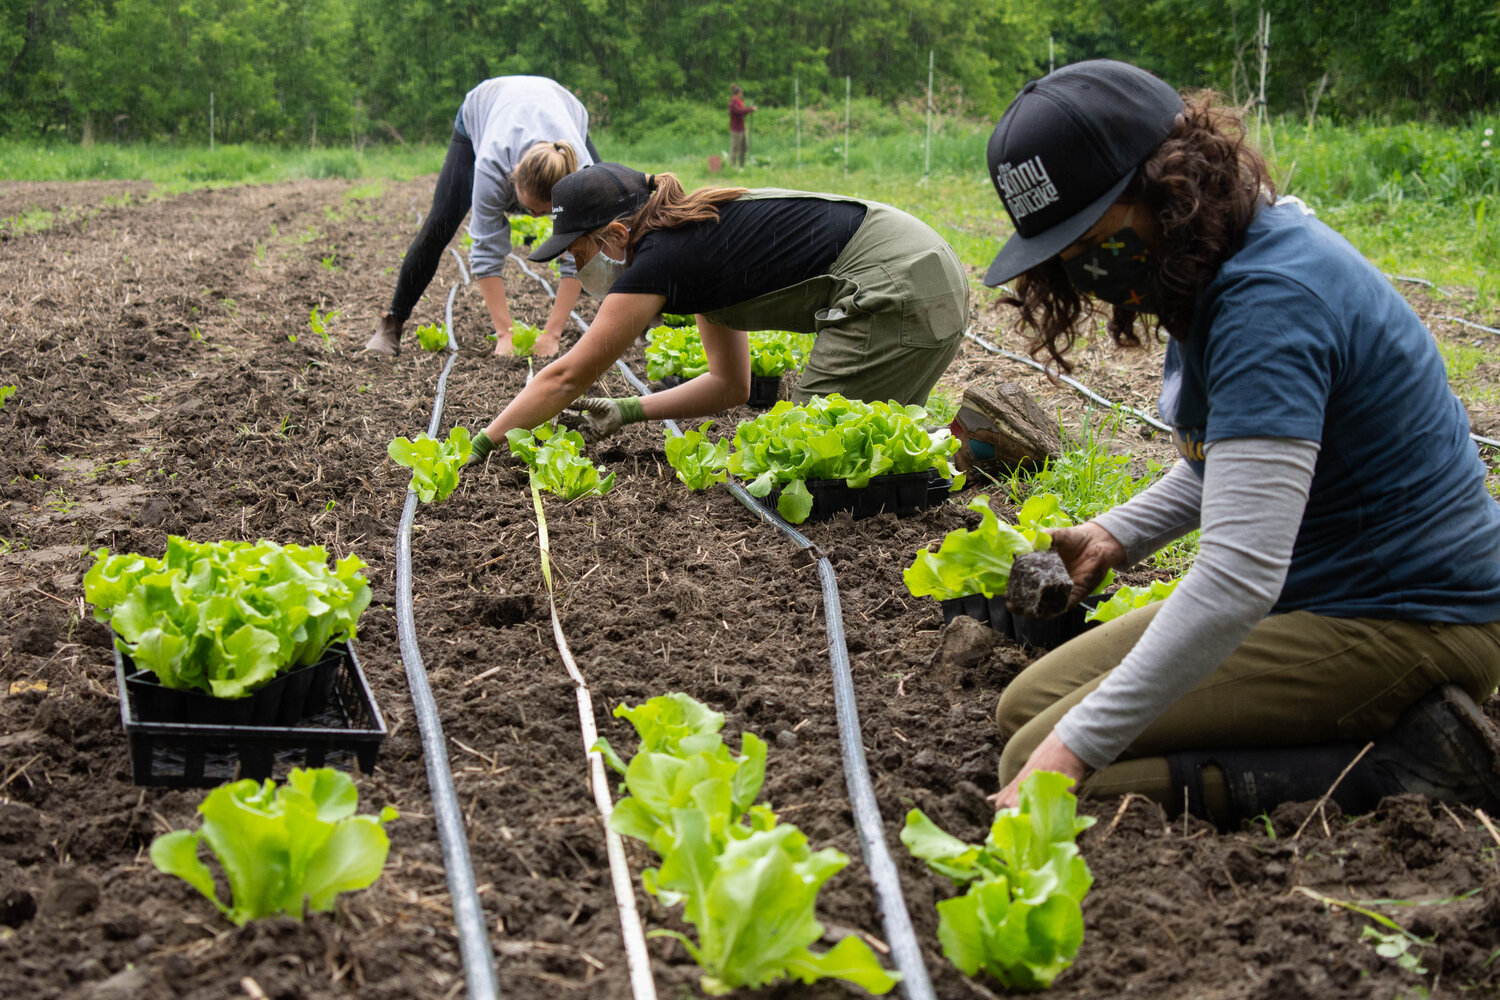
column 1067, row 148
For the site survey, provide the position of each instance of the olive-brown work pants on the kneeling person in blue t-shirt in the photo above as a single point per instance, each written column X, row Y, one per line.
column 1298, row 680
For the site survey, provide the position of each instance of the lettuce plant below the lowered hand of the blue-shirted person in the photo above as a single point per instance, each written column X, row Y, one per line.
column 1022, row 920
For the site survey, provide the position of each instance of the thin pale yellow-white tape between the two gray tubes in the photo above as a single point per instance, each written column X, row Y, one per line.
column 637, row 956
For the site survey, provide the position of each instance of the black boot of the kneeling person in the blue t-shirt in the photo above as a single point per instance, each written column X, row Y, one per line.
column 1442, row 747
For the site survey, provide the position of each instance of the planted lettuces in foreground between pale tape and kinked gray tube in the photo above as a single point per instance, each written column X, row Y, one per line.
column 748, row 884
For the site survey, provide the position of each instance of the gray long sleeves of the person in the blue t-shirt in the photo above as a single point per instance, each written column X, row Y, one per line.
column 1250, row 504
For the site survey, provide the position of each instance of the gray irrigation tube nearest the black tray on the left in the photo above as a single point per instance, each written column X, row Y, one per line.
column 469, row 915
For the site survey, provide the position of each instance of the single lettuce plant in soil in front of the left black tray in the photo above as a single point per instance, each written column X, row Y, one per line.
column 281, row 848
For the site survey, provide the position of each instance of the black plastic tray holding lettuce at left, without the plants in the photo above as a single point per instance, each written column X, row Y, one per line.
column 344, row 734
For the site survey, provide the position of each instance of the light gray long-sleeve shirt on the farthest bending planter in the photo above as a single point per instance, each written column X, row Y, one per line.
column 503, row 119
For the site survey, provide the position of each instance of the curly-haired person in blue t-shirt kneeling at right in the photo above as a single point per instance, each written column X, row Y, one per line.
column 1348, row 585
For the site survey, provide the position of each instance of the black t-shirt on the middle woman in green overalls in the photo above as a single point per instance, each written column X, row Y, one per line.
column 755, row 248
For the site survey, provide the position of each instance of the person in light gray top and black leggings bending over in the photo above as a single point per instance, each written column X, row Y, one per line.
column 514, row 139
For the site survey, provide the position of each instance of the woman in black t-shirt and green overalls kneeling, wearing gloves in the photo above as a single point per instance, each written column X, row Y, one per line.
column 886, row 295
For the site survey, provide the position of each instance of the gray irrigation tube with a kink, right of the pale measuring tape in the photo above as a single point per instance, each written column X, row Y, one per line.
column 871, row 828
